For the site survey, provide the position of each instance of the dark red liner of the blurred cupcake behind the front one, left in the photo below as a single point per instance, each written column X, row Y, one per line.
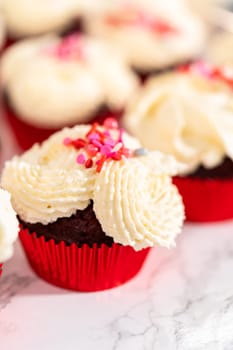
column 26, row 134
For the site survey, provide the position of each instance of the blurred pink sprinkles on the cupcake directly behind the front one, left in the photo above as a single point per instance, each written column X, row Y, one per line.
column 71, row 47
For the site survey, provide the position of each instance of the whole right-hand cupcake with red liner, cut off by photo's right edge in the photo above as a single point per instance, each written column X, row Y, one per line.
column 189, row 114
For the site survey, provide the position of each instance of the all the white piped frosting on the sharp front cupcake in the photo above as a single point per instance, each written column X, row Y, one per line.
column 134, row 198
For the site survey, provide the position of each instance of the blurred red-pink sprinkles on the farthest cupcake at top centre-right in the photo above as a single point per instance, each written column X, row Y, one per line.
column 137, row 18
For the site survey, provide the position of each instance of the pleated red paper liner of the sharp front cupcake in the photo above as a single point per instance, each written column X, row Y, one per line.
column 82, row 269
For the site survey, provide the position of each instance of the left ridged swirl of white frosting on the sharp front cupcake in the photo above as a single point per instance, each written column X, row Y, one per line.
column 47, row 183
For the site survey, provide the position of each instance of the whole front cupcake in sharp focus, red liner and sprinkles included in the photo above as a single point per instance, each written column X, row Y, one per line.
column 91, row 202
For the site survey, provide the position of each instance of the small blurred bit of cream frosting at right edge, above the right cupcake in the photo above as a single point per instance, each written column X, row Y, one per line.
column 220, row 49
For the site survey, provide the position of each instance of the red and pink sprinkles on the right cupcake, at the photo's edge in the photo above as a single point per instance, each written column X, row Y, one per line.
column 209, row 71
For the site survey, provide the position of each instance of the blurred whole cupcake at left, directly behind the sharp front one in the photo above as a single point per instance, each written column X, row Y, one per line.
column 51, row 82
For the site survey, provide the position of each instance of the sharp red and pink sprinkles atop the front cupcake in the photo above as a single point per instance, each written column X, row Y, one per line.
column 99, row 145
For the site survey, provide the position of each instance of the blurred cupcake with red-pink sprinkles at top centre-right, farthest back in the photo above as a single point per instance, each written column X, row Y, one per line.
column 151, row 36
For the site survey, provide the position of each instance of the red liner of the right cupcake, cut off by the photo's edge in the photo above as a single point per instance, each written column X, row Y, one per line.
column 206, row 200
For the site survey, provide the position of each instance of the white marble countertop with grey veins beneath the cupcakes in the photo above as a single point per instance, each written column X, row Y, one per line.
column 181, row 300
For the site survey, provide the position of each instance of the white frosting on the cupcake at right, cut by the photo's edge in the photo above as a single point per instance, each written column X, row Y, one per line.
column 187, row 116
